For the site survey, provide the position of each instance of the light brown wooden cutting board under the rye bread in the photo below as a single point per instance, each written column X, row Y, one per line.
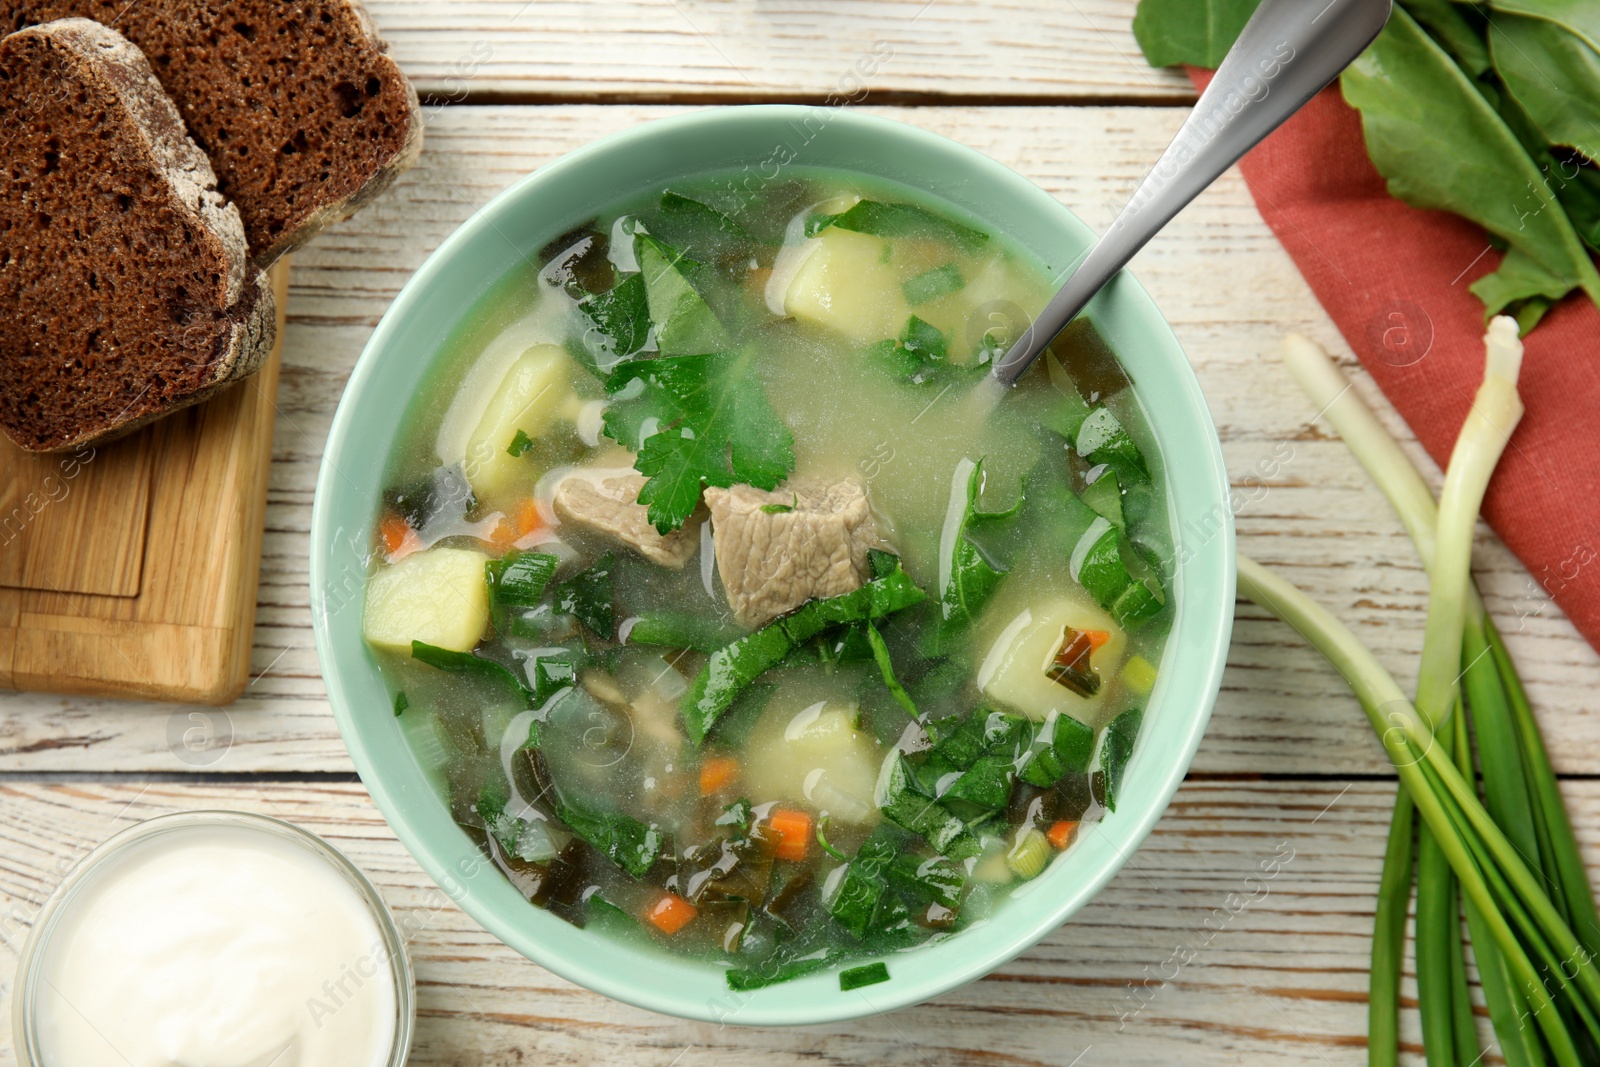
column 185, row 631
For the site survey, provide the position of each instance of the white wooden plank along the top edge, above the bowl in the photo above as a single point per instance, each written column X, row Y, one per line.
column 753, row 50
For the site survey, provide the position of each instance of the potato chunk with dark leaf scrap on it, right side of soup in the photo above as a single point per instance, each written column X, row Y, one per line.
column 1014, row 673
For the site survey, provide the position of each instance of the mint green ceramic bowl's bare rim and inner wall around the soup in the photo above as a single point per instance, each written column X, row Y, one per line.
column 495, row 241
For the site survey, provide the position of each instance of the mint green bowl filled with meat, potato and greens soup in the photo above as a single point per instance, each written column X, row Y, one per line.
column 708, row 621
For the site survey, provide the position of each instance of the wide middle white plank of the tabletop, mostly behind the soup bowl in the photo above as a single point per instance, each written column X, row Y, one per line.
column 1218, row 274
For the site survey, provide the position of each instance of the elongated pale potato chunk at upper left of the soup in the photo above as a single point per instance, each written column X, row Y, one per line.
column 537, row 391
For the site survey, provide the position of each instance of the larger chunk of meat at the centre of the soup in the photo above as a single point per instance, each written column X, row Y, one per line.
column 812, row 541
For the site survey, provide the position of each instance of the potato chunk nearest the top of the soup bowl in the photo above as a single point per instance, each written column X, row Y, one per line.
column 849, row 286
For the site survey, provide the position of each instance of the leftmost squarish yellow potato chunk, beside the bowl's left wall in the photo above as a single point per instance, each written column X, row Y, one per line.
column 438, row 597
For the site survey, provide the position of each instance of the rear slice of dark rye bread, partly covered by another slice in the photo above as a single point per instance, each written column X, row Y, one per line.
column 297, row 103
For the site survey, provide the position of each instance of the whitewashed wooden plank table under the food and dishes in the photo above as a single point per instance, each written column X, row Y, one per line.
column 1289, row 767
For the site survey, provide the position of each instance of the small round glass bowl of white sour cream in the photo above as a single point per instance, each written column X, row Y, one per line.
column 215, row 938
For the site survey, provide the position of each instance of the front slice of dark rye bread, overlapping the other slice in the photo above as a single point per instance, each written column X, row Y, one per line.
column 126, row 286
